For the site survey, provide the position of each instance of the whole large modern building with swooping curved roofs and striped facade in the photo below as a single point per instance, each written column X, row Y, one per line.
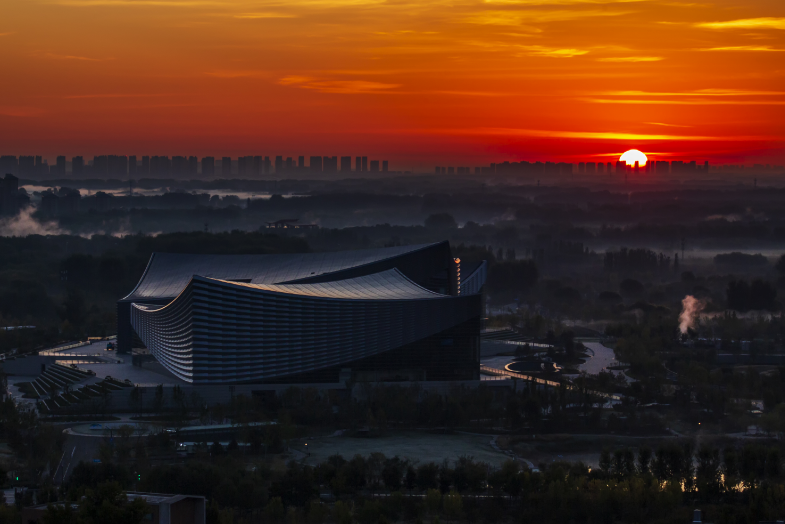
column 389, row 314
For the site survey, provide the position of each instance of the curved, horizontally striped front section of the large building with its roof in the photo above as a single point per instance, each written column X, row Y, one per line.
column 221, row 332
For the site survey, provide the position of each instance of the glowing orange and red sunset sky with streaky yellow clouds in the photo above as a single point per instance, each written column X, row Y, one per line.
column 420, row 83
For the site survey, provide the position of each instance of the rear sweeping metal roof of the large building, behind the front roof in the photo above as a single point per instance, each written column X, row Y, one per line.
column 167, row 274
